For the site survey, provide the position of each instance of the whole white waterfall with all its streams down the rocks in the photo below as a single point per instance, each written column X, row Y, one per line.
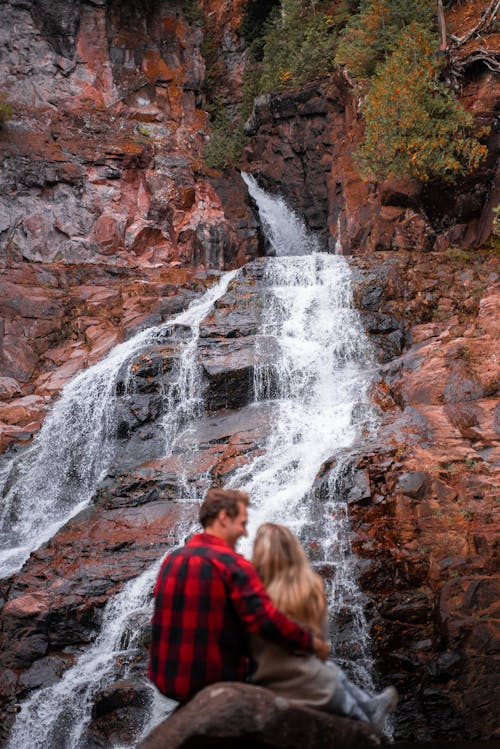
column 318, row 386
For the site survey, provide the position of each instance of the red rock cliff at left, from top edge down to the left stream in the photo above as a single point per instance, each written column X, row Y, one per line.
column 102, row 183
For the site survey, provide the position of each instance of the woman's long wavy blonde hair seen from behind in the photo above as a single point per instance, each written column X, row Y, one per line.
column 291, row 583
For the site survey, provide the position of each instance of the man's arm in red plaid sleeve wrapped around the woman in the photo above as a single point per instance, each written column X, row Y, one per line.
column 259, row 614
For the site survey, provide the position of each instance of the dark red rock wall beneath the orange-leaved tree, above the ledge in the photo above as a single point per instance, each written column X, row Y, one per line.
column 302, row 147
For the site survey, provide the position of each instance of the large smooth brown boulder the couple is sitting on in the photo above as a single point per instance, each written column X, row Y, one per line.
column 230, row 714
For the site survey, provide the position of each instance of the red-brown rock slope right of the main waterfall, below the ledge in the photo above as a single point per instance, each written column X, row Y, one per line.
column 428, row 523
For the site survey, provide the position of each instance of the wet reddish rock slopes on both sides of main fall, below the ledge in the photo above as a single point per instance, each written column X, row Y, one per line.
column 421, row 491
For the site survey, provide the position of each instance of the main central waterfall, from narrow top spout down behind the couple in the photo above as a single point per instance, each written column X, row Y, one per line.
column 320, row 384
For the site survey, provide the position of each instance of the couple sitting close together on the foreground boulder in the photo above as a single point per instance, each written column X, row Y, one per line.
column 215, row 612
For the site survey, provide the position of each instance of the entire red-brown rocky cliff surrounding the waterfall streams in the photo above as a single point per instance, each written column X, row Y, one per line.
column 109, row 220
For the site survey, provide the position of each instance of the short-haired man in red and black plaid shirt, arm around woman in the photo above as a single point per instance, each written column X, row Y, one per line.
column 207, row 597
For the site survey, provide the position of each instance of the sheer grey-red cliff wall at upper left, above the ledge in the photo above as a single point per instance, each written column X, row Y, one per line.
column 103, row 165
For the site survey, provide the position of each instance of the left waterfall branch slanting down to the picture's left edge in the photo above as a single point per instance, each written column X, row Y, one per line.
column 59, row 474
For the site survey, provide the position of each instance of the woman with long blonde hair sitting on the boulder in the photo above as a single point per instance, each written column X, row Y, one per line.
column 298, row 591
